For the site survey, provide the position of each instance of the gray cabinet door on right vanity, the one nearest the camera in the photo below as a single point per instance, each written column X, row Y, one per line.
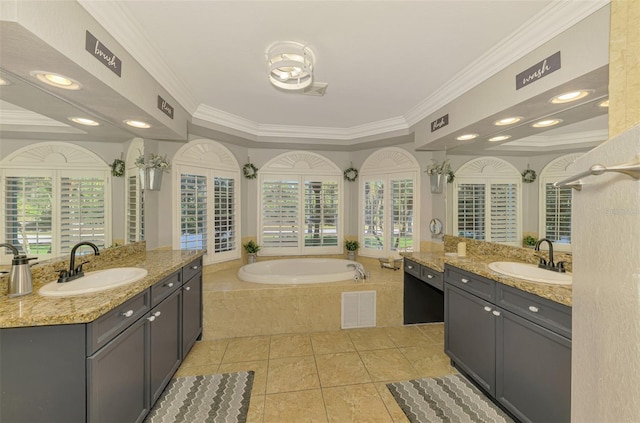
column 533, row 375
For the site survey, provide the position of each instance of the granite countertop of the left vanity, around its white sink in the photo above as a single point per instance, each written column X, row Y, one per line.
column 36, row 310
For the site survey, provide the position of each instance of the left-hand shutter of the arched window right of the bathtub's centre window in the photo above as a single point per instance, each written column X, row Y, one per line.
column 373, row 228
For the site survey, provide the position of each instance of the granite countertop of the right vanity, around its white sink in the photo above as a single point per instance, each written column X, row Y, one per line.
column 479, row 265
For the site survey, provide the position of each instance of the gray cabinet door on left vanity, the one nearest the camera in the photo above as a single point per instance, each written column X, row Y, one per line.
column 116, row 378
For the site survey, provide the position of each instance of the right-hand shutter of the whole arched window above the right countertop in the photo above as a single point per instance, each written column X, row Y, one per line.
column 504, row 213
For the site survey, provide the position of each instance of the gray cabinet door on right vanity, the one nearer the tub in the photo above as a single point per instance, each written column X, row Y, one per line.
column 470, row 335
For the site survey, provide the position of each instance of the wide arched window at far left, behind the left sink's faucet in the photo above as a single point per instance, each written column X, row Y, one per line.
column 55, row 195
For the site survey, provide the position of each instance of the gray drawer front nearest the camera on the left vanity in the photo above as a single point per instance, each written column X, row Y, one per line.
column 110, row 325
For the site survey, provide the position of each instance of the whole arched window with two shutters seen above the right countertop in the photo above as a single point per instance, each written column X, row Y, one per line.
column 487, row 201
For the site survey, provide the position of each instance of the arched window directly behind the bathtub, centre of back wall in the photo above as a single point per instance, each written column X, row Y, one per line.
column 301, row 203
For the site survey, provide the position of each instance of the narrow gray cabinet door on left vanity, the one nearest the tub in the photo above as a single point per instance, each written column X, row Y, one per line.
column 191, row 312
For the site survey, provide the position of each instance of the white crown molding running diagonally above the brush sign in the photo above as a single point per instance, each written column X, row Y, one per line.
column 126, row 32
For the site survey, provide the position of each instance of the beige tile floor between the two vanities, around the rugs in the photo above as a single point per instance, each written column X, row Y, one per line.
column 336, row 376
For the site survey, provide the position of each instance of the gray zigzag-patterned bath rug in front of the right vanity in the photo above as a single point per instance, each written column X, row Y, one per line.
column 450, row 398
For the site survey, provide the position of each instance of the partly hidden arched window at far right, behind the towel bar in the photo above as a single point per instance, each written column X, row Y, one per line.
column 555, row 203
